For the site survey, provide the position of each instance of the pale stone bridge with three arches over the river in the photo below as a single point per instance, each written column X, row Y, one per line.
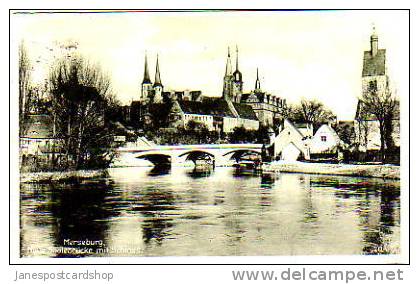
column 216, row 154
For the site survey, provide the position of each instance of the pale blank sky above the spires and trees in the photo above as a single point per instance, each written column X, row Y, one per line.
column 300, row 54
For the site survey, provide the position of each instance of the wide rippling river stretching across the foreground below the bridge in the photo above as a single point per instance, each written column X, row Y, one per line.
column 182, row 211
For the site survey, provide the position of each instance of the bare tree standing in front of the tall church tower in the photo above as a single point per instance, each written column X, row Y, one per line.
column 382, row 107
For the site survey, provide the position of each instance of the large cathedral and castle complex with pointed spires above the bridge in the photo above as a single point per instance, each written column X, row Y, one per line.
column 233, row 109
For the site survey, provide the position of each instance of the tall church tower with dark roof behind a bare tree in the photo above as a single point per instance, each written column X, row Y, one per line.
column 374, row 77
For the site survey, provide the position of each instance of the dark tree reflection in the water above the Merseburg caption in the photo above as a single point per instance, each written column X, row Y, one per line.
column 76, row 214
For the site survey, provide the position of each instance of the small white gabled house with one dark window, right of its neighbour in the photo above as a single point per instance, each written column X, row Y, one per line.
column 325, row 140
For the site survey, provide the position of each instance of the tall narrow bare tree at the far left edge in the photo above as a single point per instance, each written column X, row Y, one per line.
column 24, row 86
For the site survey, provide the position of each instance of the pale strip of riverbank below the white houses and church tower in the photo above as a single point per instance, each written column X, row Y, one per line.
column 378, row 171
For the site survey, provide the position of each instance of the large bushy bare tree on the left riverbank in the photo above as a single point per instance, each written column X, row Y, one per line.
column 80, row 96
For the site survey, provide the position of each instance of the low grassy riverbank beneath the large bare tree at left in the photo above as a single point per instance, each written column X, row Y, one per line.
column 61, row 176
